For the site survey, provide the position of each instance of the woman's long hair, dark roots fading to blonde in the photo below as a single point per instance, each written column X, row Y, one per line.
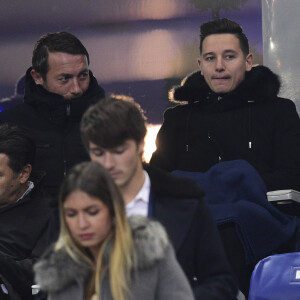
column 117, row 250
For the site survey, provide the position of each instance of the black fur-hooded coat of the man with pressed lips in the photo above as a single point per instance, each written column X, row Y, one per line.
column 250, row 123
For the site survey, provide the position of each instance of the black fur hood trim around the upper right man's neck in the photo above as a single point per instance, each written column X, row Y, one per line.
column 260, row 84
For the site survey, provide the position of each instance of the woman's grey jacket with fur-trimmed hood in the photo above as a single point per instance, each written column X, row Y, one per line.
column 157, row 275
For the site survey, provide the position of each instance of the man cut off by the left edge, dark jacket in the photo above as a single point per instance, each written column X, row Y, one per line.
column 24, row 213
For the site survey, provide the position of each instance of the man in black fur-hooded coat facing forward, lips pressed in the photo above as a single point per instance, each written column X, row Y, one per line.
column 231, row 112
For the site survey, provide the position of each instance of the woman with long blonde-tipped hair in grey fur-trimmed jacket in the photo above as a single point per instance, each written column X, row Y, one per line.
column 100, row 254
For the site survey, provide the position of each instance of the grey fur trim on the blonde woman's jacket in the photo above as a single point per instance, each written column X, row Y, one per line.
column 56, row 269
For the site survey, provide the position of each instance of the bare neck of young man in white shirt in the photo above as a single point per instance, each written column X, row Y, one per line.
column 136, row 183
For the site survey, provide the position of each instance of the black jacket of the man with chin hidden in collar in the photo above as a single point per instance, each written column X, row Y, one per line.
column 54, row 124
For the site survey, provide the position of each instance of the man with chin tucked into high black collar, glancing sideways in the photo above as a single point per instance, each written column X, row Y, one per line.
column 58, row 89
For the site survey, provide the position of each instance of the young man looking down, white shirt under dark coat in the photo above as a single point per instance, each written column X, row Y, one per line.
column 113, row 132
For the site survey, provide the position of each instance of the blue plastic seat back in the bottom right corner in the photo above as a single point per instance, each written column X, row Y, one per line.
column 276, row 277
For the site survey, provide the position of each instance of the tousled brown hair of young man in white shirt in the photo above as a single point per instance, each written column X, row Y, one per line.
column 112, row 121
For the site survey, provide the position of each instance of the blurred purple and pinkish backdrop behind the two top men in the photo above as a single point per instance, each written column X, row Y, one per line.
column 137, row 47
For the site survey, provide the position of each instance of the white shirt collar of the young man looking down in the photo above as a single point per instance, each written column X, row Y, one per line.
column 139, row 205
